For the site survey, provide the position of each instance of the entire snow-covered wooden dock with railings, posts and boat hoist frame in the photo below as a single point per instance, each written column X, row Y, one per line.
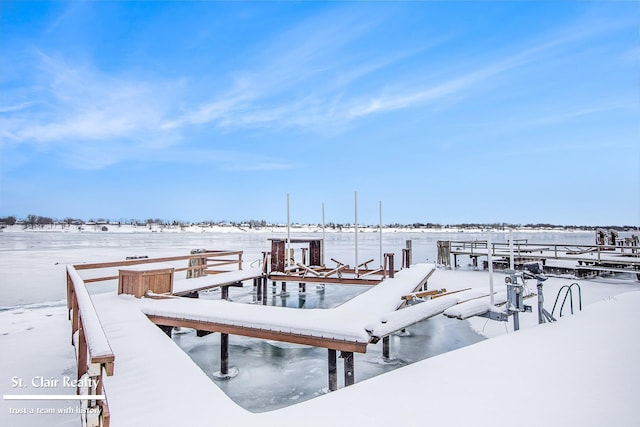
column 155, row 292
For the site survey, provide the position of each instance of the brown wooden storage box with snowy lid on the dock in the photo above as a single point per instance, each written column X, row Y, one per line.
column 138, row 279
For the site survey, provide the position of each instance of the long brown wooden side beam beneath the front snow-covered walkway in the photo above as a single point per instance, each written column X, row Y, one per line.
column 337, row 344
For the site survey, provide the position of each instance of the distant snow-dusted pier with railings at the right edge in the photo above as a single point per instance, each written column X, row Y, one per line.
column 582, row 260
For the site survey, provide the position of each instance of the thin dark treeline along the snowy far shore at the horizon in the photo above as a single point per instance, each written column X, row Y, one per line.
column 38, row 221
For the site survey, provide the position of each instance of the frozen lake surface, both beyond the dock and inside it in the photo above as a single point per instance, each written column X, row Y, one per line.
column 270, row 375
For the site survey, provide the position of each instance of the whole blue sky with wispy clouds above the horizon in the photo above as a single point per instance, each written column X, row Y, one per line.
column 447, row 112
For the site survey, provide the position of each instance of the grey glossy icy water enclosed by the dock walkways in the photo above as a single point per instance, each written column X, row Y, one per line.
column 275, row 374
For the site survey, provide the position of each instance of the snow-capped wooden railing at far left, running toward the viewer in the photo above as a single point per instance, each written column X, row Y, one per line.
column 94, row 355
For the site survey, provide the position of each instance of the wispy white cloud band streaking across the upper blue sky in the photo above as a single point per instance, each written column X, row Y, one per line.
column 312, row 76
